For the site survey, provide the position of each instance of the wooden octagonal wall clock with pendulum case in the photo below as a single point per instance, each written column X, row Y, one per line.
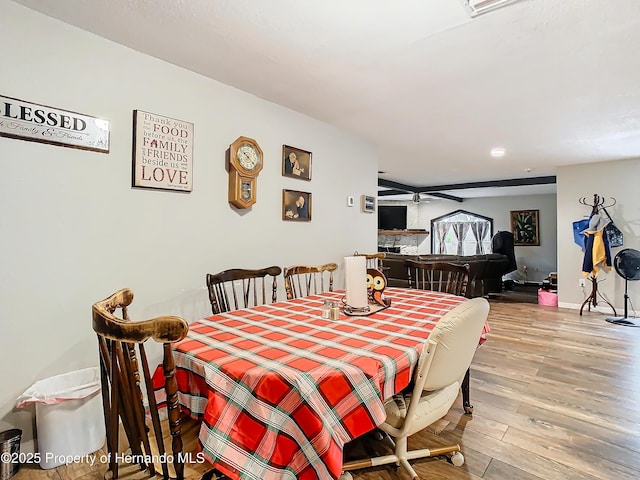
column 245, row 163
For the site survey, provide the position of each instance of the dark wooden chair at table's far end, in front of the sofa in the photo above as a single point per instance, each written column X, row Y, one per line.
column 447, row 278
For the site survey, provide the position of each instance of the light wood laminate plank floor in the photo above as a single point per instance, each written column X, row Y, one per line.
column 556, row 396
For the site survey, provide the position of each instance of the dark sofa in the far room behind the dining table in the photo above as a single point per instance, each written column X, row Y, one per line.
column 485, row 271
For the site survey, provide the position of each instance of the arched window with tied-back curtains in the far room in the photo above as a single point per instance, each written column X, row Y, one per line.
column 461, row 233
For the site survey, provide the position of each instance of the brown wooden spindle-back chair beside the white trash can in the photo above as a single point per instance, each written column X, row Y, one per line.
column 134, row 415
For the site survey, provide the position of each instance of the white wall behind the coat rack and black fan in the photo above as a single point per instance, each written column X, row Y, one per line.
column 618, row 179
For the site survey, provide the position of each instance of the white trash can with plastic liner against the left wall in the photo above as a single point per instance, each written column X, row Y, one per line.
column 69, row 416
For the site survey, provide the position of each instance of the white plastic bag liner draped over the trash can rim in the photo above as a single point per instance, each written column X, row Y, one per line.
column 68, row 386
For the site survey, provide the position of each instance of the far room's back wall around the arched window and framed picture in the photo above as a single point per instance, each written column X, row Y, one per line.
column 540, row 261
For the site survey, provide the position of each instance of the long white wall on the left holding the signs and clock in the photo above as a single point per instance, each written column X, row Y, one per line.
column 74, row 231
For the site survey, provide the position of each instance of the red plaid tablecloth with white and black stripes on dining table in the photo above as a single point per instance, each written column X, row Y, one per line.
column 280, row 390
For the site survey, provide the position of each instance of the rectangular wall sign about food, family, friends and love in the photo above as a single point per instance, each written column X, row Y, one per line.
column 162, row 152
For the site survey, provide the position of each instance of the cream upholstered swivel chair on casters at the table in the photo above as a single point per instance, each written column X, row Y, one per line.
column 445, row 358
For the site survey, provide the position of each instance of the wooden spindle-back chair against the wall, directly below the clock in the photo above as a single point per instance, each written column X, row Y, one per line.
column 242, row 288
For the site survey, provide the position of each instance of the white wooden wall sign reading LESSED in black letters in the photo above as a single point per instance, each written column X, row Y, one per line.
column 39, row 123
